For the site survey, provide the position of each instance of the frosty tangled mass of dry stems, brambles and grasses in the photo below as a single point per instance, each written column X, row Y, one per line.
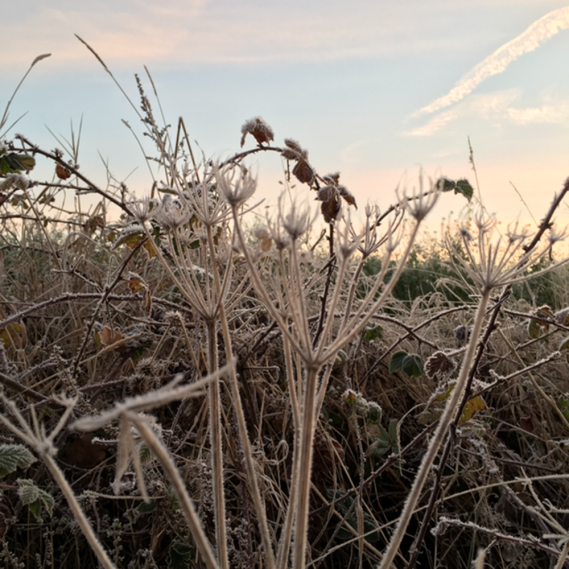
column 180, row 390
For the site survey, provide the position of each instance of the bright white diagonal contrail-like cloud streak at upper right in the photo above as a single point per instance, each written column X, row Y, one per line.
column 539, row 32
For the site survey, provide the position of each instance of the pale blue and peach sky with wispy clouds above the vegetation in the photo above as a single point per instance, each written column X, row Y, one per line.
column 375, row 89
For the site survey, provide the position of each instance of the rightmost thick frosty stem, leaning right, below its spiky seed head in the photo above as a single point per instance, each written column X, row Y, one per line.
column 438, row 436
